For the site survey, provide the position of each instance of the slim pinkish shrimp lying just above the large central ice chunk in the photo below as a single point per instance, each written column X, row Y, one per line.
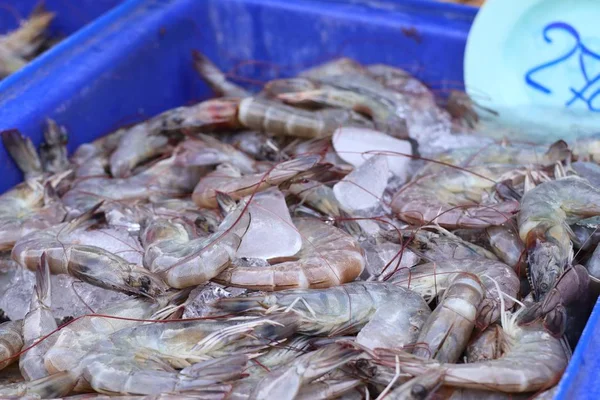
column 228, row 179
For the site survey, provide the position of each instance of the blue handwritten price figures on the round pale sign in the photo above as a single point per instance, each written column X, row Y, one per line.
column 578, row 95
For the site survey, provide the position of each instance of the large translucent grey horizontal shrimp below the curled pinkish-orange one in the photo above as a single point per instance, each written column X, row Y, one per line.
column 370, row 308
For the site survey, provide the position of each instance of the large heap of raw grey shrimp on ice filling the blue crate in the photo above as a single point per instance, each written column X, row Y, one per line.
column 309, row 241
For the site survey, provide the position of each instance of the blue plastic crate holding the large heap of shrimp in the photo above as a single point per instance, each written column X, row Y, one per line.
column 135, row 62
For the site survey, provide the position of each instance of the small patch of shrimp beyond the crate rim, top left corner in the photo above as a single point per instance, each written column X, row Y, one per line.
column 21, row 45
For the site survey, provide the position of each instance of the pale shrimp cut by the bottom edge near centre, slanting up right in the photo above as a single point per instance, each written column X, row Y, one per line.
column 287, row 381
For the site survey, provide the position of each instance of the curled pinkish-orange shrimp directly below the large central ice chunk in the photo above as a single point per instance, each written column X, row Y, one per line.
column 328, row 257
